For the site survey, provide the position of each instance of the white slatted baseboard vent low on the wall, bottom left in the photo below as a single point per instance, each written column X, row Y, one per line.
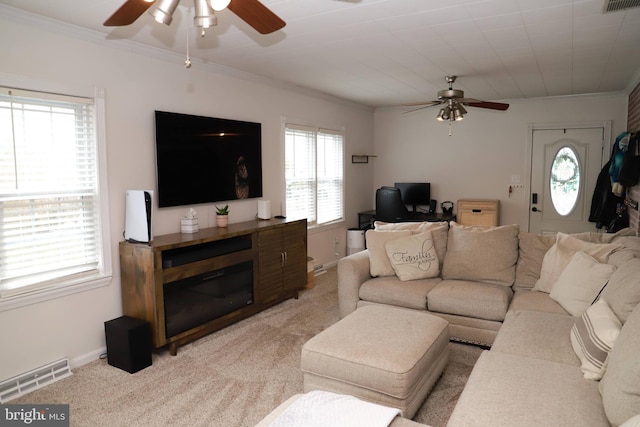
column 33, row 380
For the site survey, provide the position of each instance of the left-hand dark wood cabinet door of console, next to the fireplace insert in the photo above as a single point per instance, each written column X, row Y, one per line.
column 271, row 258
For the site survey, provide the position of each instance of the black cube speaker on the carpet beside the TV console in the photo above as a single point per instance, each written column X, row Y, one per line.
column 128, row 343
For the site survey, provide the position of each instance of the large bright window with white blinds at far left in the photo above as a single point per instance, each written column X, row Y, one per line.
column 52, row 234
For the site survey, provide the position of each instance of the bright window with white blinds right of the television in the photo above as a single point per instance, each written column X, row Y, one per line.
column 314, row 174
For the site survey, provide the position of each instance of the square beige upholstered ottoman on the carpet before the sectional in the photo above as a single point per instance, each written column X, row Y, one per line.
column 386, row 355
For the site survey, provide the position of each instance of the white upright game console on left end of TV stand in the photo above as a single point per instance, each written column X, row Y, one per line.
column 137, row 223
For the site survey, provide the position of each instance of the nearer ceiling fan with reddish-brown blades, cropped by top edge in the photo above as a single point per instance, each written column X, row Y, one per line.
column 252, row 12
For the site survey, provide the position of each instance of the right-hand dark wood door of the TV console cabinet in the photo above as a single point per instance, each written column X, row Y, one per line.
column 294, row 243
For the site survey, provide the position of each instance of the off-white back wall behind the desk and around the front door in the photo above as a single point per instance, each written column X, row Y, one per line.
column 484, row 151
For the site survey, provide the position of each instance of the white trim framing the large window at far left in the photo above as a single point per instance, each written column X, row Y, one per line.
column 104, row 277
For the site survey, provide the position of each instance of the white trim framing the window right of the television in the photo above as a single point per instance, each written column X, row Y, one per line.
column 306, row 124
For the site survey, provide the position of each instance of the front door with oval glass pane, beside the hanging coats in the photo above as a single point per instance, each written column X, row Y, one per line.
column 565, row 164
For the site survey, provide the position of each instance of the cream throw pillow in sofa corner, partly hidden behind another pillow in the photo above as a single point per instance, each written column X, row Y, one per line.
column 557, row 258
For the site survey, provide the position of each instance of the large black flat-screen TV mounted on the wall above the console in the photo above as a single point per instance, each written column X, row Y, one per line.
column 206, row 160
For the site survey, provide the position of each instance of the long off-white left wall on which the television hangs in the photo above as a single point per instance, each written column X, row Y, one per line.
column 48, row 56
